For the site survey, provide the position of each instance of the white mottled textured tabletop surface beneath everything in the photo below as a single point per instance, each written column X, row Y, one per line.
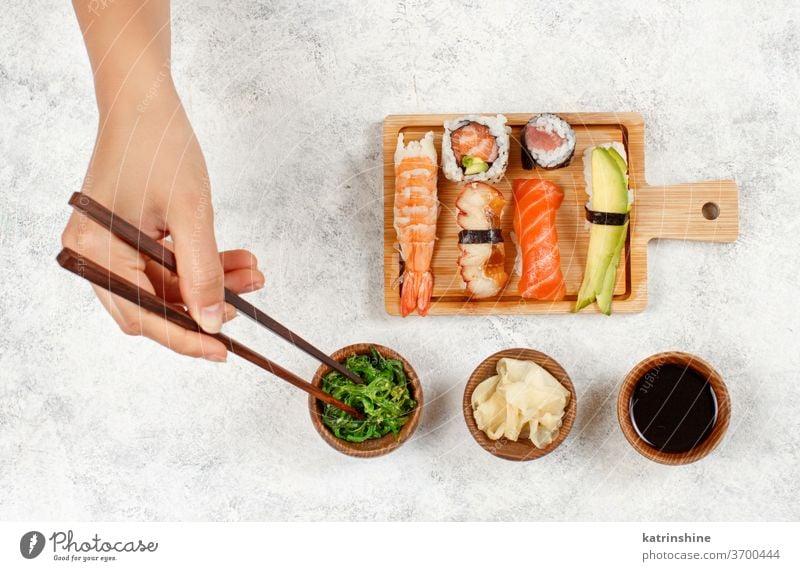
column 287, row 99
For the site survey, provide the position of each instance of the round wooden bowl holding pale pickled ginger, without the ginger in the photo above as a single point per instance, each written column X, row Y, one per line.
column 523, row 449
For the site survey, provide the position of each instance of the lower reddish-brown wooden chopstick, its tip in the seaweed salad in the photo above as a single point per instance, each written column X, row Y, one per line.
column 84, row 267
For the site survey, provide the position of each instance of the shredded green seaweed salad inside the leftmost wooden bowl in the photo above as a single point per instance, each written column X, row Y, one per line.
column 384, row 398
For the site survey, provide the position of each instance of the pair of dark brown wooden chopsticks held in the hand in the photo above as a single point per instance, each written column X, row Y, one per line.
column 83, row 267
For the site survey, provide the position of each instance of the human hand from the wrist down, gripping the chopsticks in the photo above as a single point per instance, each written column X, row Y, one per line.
column 148, row 168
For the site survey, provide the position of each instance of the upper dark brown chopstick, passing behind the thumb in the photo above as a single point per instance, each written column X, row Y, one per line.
column 135, row 238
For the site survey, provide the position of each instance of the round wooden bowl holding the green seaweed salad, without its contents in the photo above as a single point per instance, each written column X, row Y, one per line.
column 378, row 446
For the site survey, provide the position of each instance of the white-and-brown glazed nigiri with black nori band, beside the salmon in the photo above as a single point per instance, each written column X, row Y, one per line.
column 482, row 258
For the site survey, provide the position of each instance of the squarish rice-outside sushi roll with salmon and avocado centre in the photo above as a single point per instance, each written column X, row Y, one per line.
column 475, row 148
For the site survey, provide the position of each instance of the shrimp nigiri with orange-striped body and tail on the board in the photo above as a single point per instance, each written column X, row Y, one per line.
column 416, row 209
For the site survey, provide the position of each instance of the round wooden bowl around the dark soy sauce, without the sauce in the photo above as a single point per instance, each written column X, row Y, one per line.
column 717, row 386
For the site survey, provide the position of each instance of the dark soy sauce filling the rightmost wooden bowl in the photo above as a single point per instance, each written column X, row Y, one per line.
column 673, row 408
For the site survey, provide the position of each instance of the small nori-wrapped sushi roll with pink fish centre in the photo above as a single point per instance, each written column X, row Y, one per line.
column 547, row 141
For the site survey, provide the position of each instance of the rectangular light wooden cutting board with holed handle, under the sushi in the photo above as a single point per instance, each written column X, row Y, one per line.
column 693, row 211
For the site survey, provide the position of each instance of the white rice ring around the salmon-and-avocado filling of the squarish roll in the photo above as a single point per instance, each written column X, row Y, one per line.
column 498, row 129
